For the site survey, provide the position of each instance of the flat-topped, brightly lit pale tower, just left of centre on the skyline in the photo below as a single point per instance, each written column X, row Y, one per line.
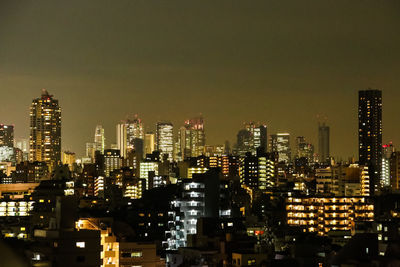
column 165, row 139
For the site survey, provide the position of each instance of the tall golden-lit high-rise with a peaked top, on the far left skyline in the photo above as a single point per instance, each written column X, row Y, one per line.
column 45, row 130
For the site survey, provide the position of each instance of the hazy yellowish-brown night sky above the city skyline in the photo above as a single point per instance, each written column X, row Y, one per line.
column 283, row 63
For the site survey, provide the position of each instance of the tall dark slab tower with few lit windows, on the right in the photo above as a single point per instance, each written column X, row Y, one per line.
column 370, row 134
